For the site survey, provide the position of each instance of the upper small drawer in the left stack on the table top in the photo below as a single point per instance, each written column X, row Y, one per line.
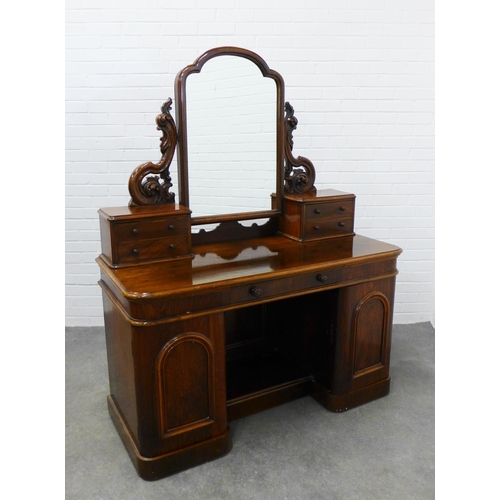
column 146, row 229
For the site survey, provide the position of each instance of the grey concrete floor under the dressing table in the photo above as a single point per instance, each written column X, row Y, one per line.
column 383, row 450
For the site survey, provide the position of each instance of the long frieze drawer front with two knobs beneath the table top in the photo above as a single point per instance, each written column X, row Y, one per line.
column 255, row 292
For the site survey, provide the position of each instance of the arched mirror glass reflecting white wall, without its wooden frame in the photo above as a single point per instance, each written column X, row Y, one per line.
column 231, row 137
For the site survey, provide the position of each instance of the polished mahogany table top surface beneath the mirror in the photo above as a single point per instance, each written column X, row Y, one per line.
column 224, row 264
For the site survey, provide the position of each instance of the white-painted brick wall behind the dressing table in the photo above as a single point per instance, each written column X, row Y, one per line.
column 359, row 73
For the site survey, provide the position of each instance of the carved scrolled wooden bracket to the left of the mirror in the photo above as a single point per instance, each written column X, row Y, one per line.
column 150, row 182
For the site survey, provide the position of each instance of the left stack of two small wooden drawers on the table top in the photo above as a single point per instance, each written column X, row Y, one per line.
column 135, row 235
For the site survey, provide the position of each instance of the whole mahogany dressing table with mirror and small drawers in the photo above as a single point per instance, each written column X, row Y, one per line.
column 213, row 311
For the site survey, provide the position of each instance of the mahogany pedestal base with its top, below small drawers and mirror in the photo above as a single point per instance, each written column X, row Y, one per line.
column 244, row 326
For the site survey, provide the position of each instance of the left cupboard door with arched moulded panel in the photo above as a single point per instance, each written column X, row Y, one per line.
column 180, row 383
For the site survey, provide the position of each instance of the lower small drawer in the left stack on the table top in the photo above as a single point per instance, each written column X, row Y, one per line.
column 153, row 249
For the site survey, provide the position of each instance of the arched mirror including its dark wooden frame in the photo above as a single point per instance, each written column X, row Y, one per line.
column 230, row 137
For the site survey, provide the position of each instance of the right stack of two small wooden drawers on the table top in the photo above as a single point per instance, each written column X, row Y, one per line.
column 318, row 215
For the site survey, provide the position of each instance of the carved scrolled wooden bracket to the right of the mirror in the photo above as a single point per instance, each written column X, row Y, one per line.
column 300, row 173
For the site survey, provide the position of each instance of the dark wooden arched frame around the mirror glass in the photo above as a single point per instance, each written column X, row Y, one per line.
column 182, row 136
